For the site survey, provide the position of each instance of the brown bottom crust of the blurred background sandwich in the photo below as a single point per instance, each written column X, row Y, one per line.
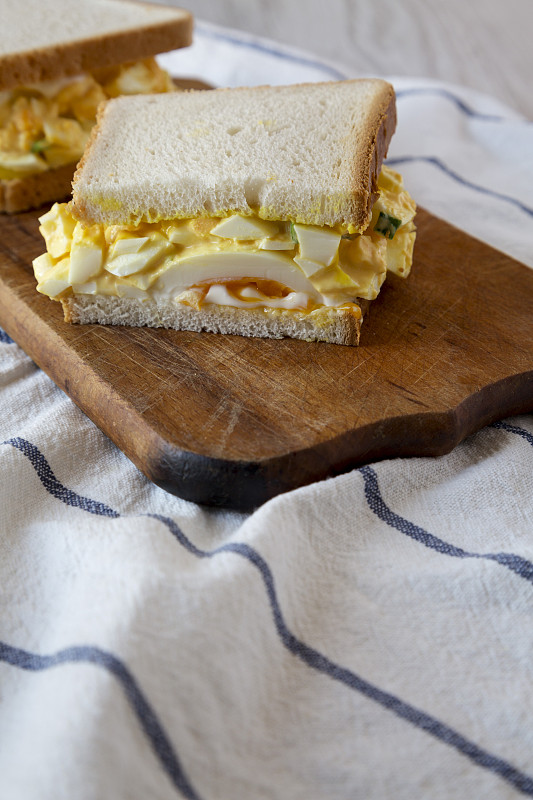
column 34, row 190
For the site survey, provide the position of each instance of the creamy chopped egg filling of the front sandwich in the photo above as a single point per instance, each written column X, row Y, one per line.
column 240, row 261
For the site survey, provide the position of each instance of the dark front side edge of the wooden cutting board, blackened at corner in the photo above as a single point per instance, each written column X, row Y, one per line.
column 243, row 485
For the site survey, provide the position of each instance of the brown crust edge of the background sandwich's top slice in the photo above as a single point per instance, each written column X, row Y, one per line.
column 83, row 55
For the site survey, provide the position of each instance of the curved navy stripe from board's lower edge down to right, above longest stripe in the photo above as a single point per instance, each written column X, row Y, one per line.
column 515, row 563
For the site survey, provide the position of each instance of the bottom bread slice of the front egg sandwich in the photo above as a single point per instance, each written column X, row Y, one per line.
column 337, row 326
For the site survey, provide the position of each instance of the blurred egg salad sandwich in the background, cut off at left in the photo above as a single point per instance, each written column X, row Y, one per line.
column 58, row 61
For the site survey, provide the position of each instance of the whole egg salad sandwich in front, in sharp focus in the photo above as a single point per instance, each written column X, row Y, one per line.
column 260, row 212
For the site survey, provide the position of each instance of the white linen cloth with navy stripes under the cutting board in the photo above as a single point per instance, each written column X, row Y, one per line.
column 369, row 636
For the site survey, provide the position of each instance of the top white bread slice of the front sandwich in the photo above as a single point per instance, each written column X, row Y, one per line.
column 309, row 153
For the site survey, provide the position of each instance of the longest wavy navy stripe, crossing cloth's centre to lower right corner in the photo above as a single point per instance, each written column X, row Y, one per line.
column 321, row 663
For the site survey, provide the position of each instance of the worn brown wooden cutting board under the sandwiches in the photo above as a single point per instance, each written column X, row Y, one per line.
column 229, row 421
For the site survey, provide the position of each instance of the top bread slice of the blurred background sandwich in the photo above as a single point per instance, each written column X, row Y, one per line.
column 42, row 40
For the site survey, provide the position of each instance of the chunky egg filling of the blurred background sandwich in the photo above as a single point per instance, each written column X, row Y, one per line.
column 46, row 125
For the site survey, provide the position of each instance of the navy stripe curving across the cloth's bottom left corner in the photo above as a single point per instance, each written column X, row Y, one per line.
column 147, row 717
